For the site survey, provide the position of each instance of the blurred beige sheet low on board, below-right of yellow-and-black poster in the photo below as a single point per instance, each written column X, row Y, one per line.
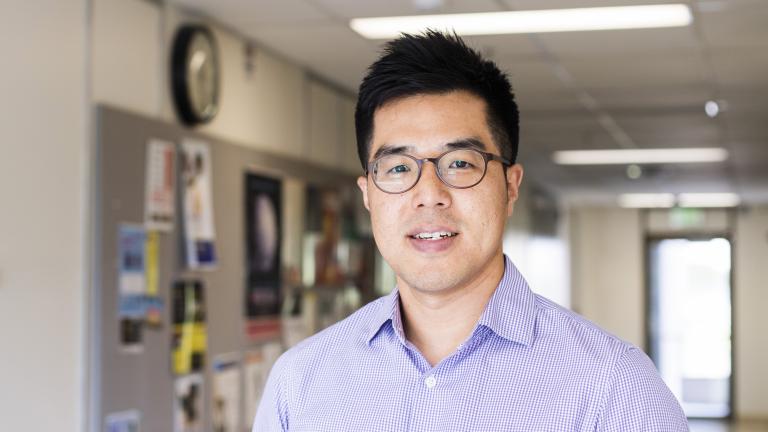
column 225, row 405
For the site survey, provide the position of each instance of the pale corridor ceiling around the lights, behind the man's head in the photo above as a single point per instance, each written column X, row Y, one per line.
column 606, row 89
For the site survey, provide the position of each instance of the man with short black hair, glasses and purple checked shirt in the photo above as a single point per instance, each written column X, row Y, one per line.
column 461, row 344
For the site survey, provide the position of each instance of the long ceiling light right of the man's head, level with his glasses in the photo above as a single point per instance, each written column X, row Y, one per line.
column 639, row 156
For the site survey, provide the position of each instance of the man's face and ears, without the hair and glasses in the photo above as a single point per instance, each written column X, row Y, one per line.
column 424, row 126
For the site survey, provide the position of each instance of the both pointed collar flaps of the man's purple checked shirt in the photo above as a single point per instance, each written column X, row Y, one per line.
column 510, row 313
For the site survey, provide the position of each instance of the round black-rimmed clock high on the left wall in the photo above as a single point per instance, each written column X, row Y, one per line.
column 195, row 74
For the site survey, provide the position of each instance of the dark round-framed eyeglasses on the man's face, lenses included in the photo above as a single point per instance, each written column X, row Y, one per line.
column 460, row 169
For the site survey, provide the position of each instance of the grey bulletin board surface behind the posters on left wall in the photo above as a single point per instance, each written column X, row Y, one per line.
column 141, row 380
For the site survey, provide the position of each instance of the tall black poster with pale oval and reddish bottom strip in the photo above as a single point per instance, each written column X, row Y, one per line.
column 262, row 219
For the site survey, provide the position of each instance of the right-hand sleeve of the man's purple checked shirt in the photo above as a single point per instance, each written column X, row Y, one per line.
column 638, row 400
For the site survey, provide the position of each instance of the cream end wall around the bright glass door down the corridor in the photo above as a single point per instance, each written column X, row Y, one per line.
column 607, row 249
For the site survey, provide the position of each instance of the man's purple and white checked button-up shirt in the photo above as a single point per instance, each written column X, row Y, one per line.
column 529, row 365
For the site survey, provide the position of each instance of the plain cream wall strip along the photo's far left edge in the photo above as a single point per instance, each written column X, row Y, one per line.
column 44, row 126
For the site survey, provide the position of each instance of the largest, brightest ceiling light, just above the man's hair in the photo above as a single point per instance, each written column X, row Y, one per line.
column 535, row 21
